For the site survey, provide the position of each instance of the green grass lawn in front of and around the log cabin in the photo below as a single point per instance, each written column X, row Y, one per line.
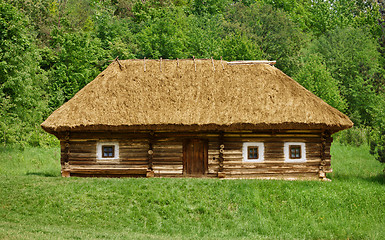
column 36, row 203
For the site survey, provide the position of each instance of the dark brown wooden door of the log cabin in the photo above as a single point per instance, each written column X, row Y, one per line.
column 195, row 157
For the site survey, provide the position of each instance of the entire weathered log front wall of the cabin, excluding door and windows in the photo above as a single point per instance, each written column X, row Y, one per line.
column 167, row 154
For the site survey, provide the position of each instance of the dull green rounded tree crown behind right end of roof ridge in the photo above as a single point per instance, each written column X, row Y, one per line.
column 270, row 30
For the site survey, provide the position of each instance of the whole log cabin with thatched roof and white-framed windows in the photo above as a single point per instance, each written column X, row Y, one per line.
column 195, row 118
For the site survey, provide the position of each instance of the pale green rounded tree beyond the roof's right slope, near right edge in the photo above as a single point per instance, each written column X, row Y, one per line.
column 352, row 58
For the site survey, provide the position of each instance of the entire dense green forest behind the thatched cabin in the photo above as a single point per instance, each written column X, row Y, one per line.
column 50, row 49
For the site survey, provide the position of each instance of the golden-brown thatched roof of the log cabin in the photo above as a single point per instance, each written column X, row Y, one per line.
column 192, row 95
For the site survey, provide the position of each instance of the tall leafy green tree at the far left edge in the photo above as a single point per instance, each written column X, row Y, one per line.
column 22, row 82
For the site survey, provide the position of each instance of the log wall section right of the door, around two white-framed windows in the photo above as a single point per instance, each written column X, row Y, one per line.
column 274, row 165
